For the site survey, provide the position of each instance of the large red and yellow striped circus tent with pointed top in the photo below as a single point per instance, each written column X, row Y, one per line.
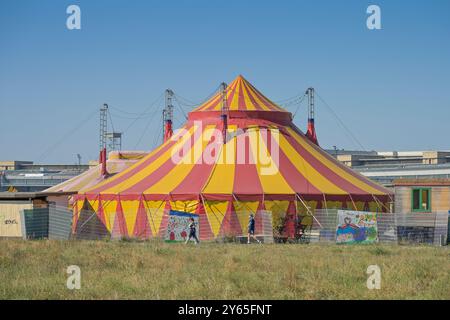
column 265, row 164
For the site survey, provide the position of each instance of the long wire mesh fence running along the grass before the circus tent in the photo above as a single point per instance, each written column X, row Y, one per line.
column 320, row 226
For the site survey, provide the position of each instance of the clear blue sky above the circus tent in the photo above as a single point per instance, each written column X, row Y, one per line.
column 390, row 87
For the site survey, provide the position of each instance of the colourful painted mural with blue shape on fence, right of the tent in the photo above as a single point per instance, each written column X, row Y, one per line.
column 356, row 227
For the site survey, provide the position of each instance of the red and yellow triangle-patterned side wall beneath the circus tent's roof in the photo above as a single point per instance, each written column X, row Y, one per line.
column 145, row 219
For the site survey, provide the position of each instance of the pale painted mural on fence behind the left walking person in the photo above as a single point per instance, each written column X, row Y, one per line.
column 178, row 226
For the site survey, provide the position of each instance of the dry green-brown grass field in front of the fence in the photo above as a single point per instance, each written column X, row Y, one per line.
column 157, row 270
